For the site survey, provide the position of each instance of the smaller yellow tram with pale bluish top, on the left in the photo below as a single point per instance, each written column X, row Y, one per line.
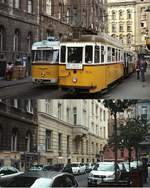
column 45, row 63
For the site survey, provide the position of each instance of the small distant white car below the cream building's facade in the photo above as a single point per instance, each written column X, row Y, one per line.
column 78, row 168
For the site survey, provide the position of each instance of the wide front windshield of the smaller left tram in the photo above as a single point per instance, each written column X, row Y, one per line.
column 51, row 56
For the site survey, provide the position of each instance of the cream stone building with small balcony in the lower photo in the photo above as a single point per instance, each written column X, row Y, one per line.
column 71, row 129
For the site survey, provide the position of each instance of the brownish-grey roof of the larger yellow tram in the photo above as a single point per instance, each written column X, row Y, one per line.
column 102, row 38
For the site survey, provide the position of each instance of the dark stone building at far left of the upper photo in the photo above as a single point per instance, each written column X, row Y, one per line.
column 18, row 29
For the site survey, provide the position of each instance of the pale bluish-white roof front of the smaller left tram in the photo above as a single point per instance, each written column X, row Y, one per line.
column 46, row 44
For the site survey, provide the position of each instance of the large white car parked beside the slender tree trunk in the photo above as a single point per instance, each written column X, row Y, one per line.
column 103, row 172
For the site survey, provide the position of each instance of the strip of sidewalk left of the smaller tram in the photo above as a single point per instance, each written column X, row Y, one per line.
column 7, row 83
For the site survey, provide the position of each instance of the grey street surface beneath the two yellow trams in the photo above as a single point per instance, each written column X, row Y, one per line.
column 128, row 88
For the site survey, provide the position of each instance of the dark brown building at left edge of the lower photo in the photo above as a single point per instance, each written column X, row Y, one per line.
column 18, row 133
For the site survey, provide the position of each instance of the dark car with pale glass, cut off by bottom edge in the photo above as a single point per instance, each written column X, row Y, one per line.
column 43, row 179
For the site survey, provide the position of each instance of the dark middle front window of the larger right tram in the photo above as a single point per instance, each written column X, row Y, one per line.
column 75, row 54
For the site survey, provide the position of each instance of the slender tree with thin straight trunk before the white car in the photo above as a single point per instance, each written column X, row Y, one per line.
column 116, row 106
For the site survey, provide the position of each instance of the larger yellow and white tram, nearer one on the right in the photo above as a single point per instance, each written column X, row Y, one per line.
column 92, row 62
